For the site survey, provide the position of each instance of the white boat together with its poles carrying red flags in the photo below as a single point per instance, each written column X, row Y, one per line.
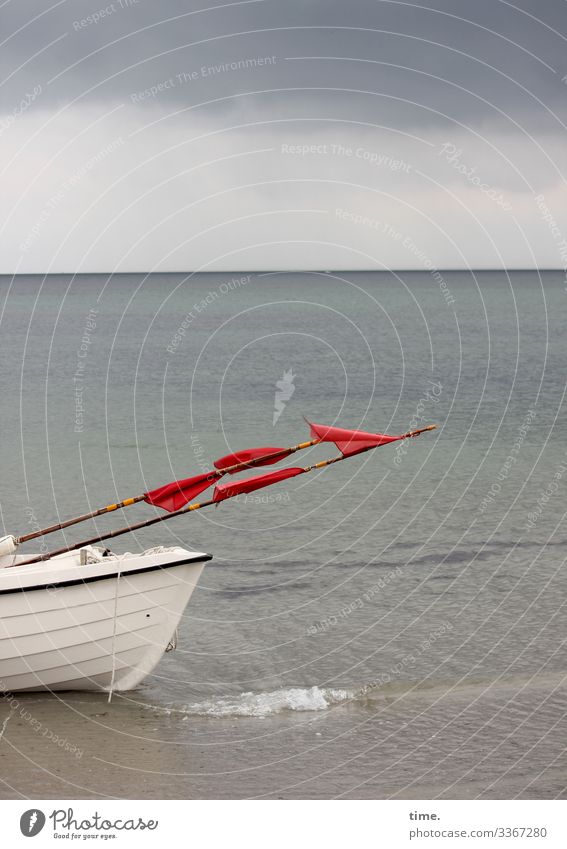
column 82, row 618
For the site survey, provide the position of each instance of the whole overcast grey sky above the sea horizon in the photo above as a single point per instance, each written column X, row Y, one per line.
column 271, row 134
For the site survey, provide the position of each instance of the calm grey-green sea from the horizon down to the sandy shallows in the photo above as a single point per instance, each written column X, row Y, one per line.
column 391, row 626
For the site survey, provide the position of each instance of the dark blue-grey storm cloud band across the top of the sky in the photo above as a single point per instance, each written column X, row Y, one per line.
column 402, row 64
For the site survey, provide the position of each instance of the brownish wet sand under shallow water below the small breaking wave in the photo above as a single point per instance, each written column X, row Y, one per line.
column 478, row 741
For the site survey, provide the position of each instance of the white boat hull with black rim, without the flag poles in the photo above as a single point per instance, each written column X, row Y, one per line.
column 89, row 621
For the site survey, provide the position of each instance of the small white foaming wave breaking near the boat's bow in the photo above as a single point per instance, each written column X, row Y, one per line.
column 267, row 704
